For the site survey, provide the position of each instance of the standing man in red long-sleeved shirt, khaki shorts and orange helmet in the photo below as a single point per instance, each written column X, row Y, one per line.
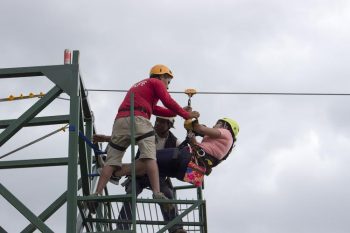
column 147, row 93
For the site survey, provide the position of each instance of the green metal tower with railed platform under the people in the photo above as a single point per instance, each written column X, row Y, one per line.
column 81, row 159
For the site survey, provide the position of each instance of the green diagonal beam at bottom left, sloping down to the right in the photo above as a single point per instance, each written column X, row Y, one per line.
column 24, row 210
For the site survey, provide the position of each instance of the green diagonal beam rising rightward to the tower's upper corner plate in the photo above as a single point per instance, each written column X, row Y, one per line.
column 15, row 126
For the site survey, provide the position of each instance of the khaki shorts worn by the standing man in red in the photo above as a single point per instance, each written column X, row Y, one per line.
column 121, row 137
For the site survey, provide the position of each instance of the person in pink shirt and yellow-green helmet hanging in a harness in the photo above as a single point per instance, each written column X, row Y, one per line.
column 191, row 163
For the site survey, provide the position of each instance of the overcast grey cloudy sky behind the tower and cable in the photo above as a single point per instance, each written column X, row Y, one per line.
column 289, row 172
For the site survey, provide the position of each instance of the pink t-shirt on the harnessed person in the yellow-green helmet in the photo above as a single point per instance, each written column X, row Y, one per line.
column 217, row 147
